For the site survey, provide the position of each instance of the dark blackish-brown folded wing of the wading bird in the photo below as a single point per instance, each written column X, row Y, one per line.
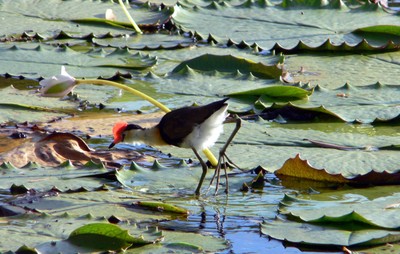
column 179, row 123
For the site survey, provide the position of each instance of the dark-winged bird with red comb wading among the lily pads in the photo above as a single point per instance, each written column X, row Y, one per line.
column 194, row 127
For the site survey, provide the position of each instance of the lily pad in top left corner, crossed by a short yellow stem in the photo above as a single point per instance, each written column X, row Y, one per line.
column 41, row 17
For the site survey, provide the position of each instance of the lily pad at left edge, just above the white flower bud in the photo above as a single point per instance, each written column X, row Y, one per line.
column 78, row 63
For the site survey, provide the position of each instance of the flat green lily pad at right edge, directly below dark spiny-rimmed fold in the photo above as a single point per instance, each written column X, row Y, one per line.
column 355, row 69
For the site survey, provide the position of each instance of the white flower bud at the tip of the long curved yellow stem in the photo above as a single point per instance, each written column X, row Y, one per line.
column 58, row 86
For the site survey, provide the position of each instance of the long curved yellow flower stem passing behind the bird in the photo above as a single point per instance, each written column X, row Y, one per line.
column 156, row 103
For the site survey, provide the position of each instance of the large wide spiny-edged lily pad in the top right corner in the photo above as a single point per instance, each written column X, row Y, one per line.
column 270, row 23
